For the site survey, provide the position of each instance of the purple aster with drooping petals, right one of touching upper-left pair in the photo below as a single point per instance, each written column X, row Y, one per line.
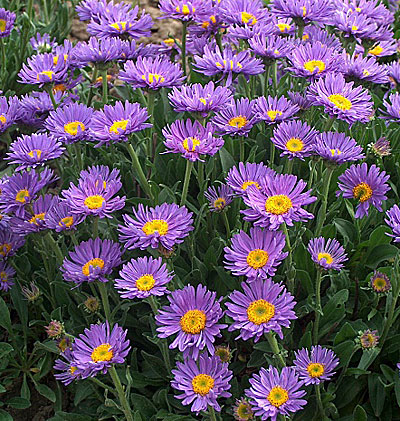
column 116, row 122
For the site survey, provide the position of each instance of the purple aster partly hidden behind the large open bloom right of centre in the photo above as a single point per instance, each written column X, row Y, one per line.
column 244, row 175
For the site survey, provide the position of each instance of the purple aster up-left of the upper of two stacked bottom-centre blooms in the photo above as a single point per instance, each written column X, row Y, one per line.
column 143, row 277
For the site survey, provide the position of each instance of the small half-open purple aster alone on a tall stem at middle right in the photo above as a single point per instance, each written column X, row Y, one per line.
column 328, row 254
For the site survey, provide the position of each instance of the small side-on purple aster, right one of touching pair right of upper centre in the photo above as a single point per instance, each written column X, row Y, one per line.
column 274, row 109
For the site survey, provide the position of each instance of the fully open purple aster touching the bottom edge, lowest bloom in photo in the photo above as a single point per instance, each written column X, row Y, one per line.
column 272, row 393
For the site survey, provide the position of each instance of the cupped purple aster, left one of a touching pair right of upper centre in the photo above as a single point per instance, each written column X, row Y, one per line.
column 236, row 118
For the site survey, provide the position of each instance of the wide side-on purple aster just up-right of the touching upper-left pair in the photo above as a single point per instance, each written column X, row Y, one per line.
column 152, row 73
